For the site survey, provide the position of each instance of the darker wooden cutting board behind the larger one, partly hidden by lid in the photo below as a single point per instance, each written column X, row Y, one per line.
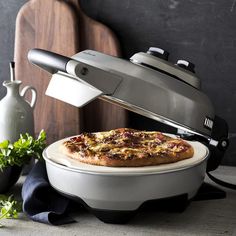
column 99, row 115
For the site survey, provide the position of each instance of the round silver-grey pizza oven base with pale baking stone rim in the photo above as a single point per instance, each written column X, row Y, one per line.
column 126, row 190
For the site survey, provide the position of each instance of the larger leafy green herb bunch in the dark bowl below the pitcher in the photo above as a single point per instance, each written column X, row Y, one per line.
column 20, row 152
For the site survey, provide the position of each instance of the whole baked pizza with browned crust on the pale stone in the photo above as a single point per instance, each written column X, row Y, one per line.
column 126, row 147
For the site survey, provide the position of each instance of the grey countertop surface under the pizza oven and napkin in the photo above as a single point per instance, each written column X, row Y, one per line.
column 208, row 217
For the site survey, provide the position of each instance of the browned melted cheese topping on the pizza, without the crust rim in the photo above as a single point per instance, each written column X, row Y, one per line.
column 127, row 144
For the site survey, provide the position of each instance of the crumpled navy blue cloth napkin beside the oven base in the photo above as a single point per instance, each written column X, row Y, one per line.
column 40, row 201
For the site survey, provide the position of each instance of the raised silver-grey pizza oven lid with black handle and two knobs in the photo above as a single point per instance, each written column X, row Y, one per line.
column 147, row 85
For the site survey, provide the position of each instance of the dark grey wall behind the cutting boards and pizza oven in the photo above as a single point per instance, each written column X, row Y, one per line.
column 201, row 31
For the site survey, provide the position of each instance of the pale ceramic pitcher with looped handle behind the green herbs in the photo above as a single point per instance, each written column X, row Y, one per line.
column 16, row 113
